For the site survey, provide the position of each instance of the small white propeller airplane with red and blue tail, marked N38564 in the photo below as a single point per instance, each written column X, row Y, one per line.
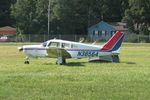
column 62, row 49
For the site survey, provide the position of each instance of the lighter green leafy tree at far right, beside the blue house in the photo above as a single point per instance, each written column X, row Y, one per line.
column 137, row 16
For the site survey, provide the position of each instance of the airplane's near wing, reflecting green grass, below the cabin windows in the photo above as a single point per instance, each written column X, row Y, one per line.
column 54, row 52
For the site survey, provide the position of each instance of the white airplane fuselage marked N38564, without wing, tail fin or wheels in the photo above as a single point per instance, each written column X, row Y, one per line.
column 79, row 50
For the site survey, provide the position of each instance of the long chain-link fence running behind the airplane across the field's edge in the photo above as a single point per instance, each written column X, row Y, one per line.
column 41, row 38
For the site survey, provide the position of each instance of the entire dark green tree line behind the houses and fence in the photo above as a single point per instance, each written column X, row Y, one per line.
column 73, row 16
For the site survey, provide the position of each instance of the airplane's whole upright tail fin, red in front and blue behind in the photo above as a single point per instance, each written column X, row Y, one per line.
column 114, row 43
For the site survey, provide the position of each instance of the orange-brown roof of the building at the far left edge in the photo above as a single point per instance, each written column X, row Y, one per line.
column 7, row 30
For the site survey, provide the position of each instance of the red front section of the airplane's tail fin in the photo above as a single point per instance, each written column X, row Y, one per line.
column 111, row 43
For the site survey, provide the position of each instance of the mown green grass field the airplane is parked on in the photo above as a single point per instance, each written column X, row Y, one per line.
column 78, row 80
